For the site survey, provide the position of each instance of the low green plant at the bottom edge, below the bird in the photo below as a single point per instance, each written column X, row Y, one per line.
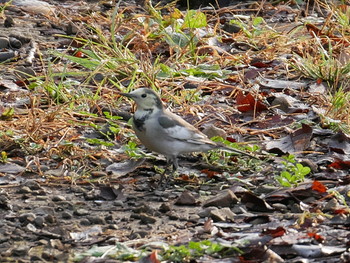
column 193, row 250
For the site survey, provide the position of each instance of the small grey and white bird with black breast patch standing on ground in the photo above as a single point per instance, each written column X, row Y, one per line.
column 164, row 132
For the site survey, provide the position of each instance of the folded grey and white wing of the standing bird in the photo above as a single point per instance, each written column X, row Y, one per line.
column 178, row 129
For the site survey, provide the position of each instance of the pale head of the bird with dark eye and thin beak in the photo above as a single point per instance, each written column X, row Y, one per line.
column 145, row 99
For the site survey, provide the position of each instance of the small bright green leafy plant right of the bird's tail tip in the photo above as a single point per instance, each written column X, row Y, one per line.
column 293, row 173
